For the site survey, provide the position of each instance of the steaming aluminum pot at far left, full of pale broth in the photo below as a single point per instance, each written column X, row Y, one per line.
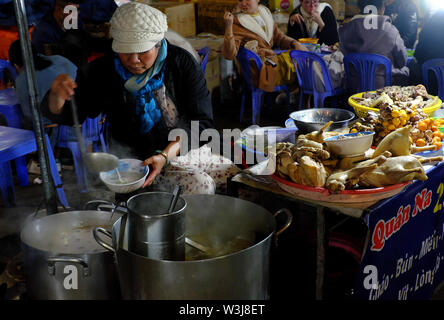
column 62, row 261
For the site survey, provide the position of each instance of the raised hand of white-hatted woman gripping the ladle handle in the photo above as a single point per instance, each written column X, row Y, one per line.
column 62, row 89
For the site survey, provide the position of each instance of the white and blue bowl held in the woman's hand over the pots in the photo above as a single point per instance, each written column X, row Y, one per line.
column 132, row 176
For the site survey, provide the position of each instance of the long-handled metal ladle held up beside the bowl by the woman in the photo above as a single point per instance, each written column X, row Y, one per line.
column 94, row 161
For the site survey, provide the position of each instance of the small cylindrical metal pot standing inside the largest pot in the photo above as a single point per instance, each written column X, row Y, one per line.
column 155, row 233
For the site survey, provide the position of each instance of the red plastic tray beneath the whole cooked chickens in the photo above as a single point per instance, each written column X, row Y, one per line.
column 368, row 196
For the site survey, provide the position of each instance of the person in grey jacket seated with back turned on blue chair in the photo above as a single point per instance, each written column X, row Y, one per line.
column 373, row 33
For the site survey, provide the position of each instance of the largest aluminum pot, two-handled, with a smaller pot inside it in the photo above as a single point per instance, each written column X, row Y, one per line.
column 209, row 219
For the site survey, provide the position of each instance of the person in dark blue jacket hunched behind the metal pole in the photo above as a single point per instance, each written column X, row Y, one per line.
column 47, row 68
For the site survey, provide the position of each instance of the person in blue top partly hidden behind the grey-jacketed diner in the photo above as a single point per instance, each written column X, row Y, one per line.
column 404, row 15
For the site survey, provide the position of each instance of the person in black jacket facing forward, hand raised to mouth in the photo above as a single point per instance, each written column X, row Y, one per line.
column 312, row 19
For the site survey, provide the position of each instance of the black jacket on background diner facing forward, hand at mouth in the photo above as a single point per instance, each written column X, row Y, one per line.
column 328, row 35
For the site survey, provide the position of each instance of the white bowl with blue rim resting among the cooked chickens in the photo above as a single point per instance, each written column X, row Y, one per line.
column 350, row 144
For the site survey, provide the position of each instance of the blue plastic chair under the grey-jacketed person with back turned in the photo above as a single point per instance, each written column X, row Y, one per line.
column 365, row 65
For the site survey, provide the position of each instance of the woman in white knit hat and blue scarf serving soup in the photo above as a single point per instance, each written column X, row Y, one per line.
column 146, row 87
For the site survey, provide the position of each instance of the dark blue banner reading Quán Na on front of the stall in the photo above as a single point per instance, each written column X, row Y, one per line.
column 405, row 251
